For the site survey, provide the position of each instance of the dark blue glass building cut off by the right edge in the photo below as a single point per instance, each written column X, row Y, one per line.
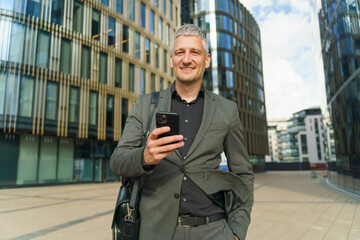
column 340, row 37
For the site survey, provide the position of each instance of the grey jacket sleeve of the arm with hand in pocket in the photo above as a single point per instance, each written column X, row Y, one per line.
column 239, row 164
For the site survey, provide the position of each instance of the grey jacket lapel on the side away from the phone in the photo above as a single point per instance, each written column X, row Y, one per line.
column 208, row 114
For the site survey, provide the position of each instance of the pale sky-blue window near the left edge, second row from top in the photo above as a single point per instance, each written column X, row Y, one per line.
column 17, row 43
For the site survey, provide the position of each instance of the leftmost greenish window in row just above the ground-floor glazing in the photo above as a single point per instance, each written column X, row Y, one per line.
column 26, row 97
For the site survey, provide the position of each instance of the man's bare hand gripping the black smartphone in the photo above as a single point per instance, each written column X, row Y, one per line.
column 158, row 148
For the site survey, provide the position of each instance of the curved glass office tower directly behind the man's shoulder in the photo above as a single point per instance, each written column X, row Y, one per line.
column 236, row 66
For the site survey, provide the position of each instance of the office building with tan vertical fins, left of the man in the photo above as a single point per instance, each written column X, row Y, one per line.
column 70, row 72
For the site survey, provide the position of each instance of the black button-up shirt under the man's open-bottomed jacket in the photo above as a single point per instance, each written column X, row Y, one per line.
column 193, row 200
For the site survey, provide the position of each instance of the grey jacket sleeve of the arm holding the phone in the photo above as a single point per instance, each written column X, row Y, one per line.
column 126, row 158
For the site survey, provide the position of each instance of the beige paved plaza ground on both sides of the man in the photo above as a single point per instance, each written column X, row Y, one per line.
column 288, row 206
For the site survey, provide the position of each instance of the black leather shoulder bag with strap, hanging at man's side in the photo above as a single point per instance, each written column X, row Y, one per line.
column 126, row 220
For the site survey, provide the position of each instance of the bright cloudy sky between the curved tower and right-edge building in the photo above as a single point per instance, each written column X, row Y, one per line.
column 292, row 66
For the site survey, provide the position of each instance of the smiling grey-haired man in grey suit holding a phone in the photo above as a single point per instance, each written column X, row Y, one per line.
column 184, row 194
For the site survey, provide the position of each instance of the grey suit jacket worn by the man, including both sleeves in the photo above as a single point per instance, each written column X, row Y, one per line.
column 220, row 131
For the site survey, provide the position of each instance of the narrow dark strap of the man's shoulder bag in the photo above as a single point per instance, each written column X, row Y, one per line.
column 135, row 189
